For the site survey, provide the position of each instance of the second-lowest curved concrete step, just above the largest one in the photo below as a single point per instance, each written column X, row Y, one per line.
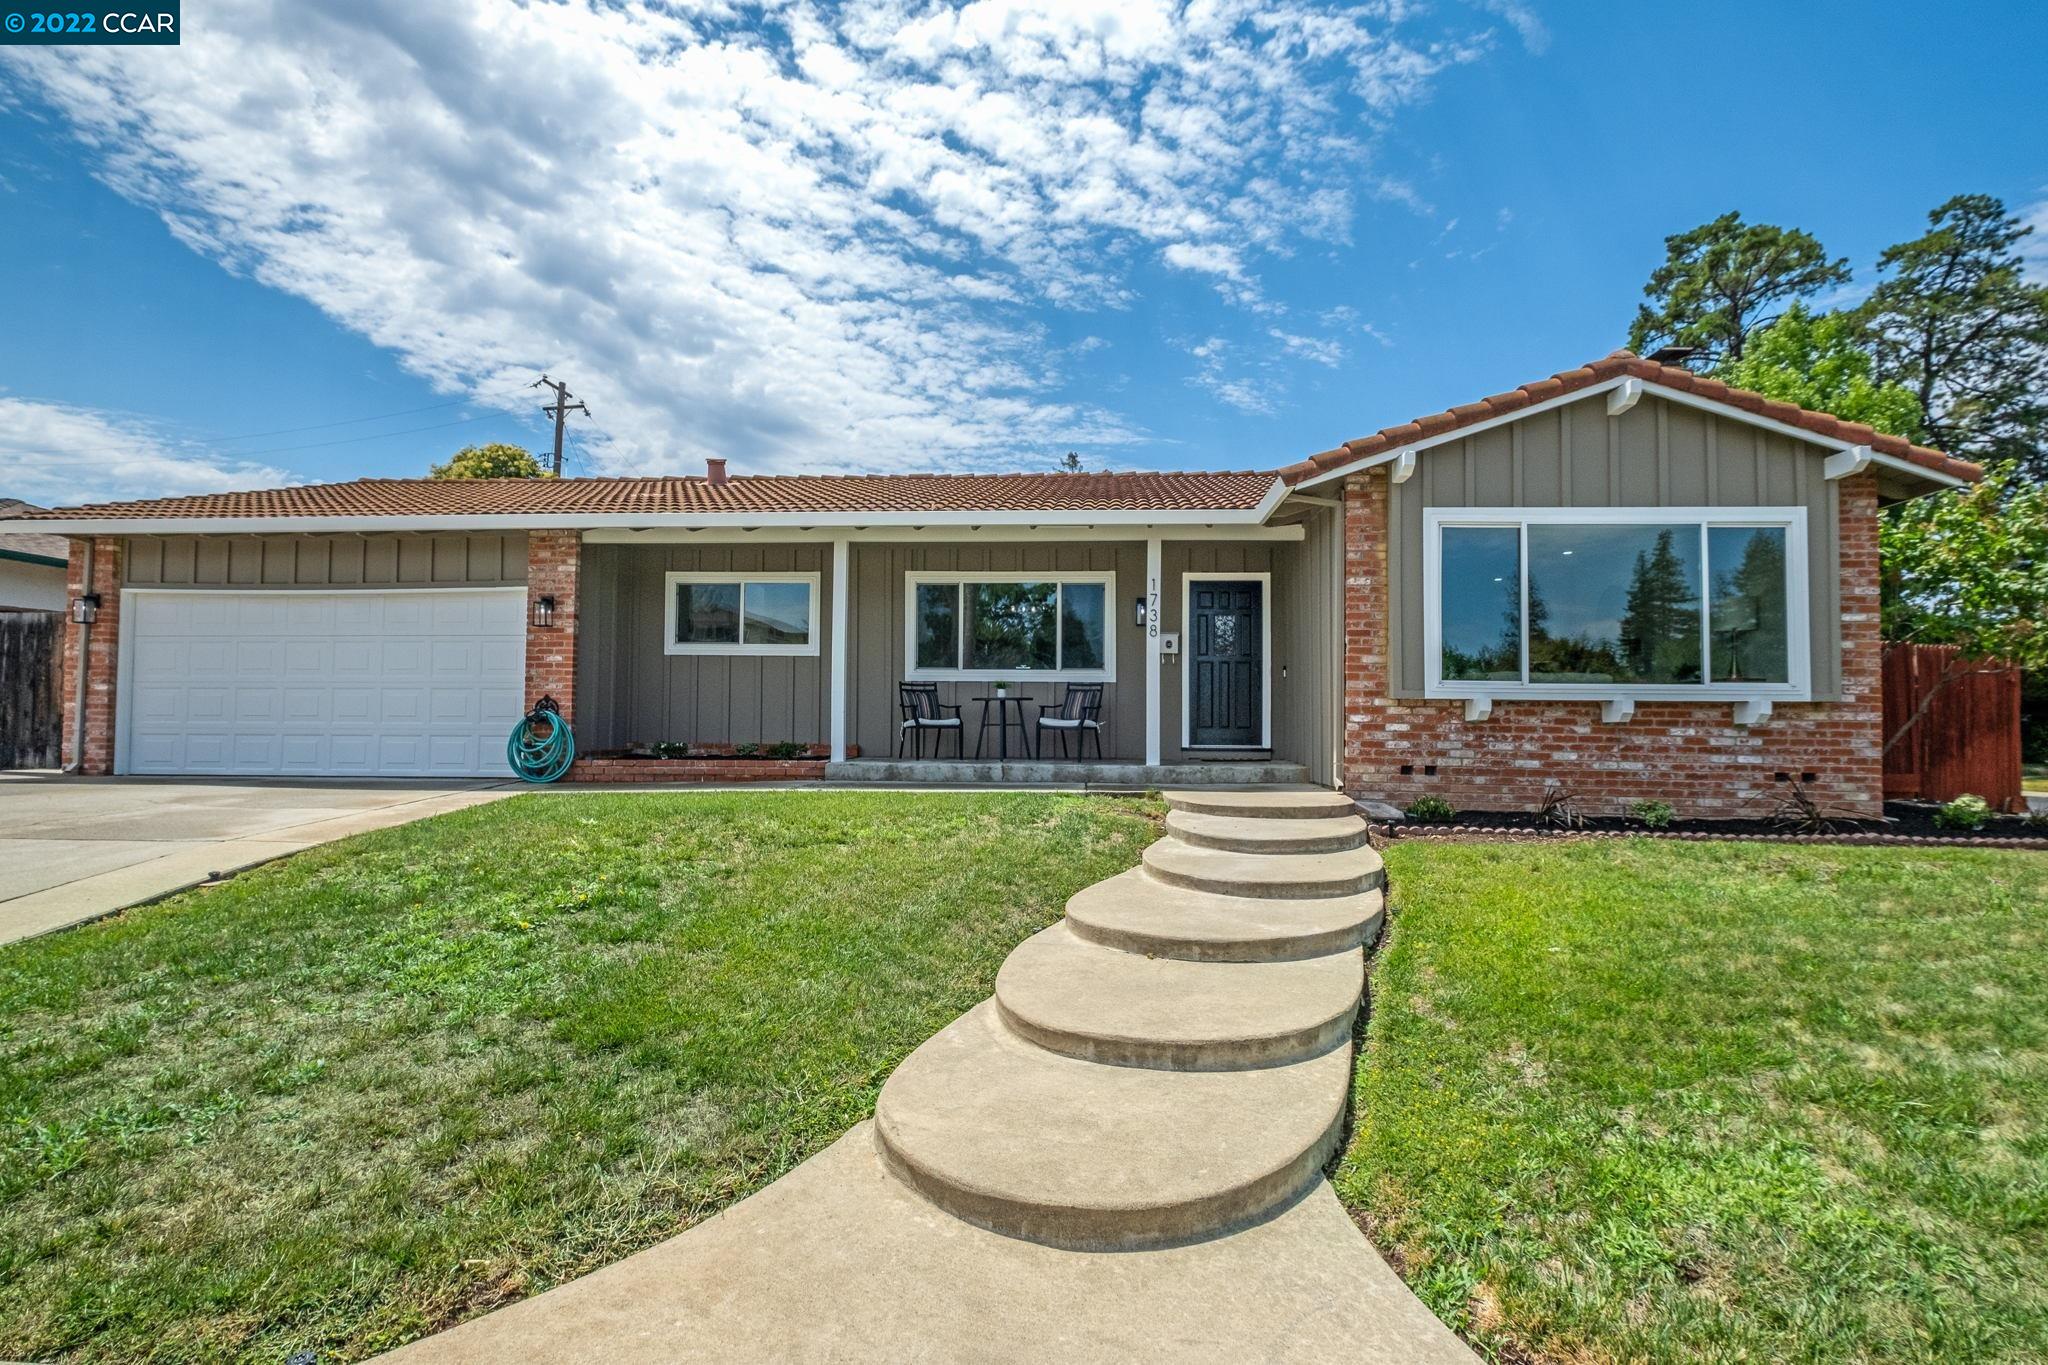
column 1105, row 1006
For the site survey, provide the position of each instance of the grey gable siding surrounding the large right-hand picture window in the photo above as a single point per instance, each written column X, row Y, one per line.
column 1656, row 455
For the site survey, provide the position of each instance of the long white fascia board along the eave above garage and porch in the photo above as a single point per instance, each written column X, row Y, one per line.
column 636, row 521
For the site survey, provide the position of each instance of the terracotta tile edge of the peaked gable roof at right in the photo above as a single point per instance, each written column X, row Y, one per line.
column 1613, row 367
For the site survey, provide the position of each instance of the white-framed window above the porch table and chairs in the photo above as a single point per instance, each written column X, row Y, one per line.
column 1011, row 625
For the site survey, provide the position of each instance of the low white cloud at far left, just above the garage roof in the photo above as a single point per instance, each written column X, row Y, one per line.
column 58, row 455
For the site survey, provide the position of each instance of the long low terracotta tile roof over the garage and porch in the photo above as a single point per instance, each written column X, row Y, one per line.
column 1086, row 492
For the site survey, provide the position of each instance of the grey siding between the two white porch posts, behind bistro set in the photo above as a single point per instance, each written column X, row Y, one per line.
column 878, row 644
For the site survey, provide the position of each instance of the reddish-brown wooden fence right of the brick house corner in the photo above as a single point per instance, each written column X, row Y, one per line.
column 1967, row 740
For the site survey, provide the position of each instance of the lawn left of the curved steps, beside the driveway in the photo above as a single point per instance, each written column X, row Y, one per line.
column 402, row 1080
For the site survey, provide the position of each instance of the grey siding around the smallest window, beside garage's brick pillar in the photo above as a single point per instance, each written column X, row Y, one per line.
column 630, row 691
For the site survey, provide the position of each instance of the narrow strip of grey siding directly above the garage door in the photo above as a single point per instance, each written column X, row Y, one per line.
column 482, row 560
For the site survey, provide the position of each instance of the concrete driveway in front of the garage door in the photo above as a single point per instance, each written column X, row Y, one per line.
column 79, row 848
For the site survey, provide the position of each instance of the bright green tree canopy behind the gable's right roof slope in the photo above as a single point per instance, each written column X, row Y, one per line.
column 1820, row 361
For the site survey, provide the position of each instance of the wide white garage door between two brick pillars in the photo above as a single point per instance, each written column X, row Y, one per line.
column 374, row 685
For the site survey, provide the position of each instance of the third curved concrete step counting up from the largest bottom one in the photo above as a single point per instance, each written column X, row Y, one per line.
column 1140, row 916
